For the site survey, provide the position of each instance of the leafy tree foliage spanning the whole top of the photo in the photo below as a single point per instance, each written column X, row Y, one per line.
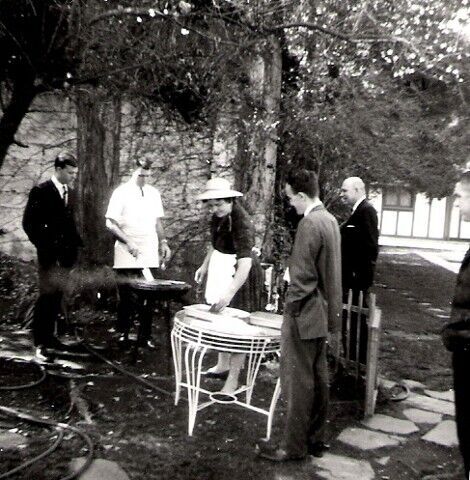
column 363, row 81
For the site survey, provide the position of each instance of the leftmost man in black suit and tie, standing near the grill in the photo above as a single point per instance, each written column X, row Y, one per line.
column 49, row 222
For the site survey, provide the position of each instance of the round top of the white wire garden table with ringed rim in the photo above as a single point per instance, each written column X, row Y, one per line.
column 230, row 334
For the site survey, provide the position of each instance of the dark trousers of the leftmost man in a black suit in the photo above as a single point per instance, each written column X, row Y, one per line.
column 53, row 283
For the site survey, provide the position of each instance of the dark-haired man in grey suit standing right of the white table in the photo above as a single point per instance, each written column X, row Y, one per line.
column 312, row 310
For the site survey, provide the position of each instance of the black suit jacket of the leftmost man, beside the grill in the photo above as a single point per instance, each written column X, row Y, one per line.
column 50, row 226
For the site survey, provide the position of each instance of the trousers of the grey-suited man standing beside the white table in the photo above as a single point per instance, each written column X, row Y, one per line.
column 304, row 382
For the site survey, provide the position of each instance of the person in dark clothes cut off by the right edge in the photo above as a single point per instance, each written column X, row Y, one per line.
column 456, row 334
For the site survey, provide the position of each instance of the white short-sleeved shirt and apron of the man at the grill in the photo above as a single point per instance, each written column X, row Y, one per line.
column 137, row 216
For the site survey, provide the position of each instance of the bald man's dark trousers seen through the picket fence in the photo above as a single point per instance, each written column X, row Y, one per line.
column 353, row 337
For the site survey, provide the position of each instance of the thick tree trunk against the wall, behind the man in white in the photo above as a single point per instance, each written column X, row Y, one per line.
column 98, row 138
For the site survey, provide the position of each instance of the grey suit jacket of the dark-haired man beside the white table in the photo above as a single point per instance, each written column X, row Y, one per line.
column 314, row 295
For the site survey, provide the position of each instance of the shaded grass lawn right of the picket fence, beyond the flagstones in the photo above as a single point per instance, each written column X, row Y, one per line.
column 414, row 296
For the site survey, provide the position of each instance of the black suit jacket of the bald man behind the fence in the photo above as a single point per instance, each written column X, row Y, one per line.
column 359, row 247
